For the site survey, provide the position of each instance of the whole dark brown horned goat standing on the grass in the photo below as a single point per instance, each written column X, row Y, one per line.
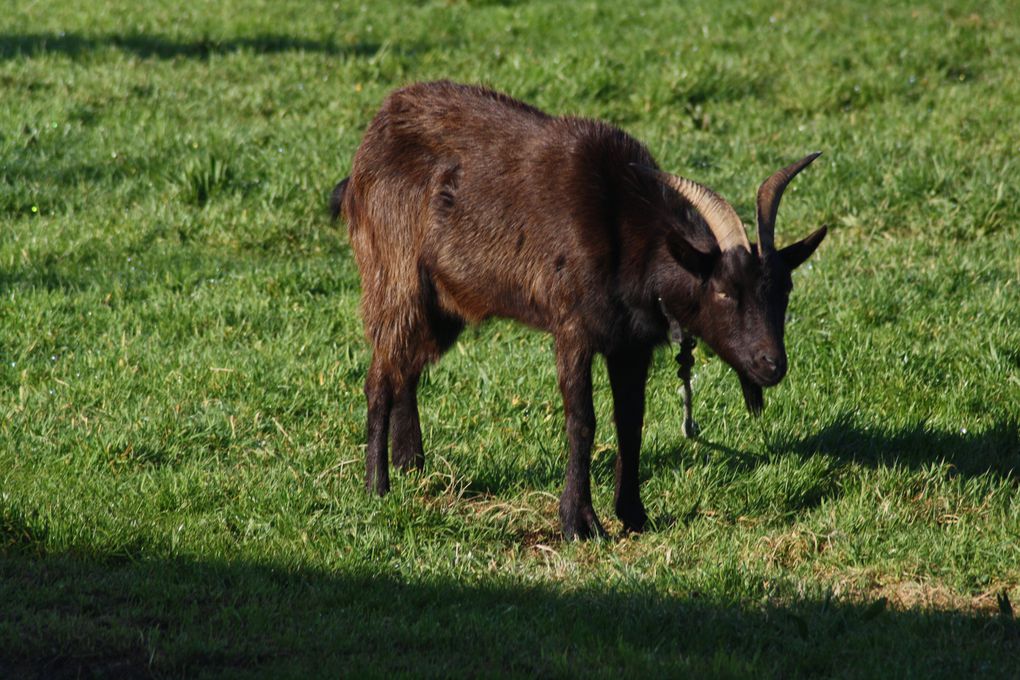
column 465, row 204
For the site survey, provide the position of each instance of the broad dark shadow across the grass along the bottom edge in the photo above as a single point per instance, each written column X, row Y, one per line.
column 94, row 616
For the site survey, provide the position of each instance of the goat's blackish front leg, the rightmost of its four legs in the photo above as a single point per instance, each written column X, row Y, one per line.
column 628, row 376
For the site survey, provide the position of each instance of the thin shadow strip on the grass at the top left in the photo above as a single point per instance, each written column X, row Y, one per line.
column 162, row 47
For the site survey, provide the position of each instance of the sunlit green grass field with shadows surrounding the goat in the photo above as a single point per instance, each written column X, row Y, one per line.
column 182, row 361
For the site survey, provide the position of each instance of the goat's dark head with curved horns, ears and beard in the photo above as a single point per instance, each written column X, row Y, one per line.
column 740, row 303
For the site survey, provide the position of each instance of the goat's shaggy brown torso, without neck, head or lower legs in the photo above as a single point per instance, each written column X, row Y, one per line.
column 496, row 207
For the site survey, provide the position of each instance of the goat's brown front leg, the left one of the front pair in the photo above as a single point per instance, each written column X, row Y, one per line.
column 574, row 365
